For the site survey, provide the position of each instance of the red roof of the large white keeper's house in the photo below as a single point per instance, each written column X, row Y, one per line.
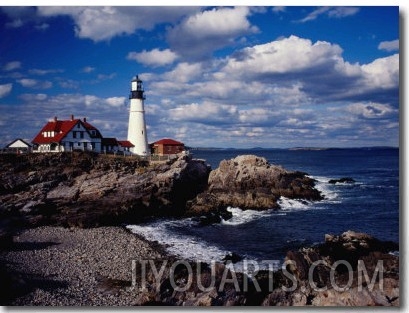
column 61, row 129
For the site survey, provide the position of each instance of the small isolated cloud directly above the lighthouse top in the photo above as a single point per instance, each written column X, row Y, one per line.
column 154, row 57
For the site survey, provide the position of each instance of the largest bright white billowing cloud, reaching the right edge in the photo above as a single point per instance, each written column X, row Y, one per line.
column 318, row 69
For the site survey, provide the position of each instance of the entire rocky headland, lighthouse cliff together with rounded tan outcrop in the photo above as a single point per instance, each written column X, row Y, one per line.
column 87, row 190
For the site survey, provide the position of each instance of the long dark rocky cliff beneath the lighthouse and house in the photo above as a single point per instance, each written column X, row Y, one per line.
column 87, row 190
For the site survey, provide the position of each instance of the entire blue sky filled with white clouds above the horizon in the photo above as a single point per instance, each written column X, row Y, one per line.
column 214, row 76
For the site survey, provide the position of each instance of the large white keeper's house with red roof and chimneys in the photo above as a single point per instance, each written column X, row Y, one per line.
column 67, row 135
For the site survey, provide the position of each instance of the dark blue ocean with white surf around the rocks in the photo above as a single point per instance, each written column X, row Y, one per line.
column 369, row 205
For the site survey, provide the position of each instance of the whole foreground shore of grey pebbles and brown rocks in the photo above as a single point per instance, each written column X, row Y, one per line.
column 56, row 266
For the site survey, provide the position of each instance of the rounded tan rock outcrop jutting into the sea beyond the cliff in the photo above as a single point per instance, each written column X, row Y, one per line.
column 250, row 182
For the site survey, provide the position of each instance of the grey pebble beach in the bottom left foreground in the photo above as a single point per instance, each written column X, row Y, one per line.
column 57, row 266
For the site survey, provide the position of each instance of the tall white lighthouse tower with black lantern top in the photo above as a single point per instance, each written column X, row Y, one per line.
column 137, row 126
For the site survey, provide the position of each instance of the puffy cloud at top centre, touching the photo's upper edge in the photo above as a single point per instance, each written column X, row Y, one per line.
column 200, row 34
